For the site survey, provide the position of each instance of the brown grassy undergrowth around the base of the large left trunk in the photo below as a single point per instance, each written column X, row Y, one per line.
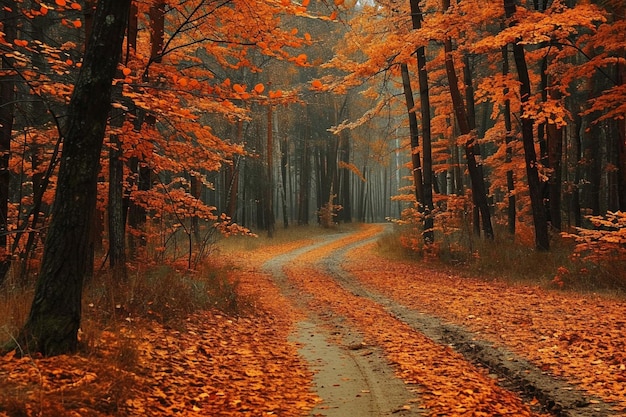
column 103, row 374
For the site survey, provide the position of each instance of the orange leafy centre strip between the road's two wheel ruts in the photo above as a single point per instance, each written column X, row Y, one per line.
column 449, row 384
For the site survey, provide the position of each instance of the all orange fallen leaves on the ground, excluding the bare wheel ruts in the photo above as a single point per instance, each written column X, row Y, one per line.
column 219, row 365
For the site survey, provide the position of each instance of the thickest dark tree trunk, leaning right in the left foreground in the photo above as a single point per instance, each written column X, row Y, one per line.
column 54, row 319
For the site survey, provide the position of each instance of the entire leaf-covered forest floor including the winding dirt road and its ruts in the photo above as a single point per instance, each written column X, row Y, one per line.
column 331, row 329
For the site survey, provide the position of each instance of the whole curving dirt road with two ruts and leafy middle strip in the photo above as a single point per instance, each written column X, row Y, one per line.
column 375, row 356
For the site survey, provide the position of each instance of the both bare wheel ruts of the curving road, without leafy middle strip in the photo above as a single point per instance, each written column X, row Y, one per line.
column 354, row 379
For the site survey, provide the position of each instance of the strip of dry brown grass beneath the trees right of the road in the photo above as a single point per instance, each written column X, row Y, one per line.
column 506, row 258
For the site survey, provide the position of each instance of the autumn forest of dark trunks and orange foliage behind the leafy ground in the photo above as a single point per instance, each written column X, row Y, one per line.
column 136, row 134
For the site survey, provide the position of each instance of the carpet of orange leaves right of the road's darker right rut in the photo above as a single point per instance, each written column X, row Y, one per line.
column 578, row 337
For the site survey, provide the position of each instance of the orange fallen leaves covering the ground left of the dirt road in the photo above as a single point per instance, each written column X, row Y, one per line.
column 209, row 365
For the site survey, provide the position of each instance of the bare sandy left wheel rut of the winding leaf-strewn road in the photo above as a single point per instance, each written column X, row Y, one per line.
column 350, row 378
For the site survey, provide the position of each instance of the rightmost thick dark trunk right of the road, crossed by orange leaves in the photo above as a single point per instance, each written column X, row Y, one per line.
column 542, row 239
